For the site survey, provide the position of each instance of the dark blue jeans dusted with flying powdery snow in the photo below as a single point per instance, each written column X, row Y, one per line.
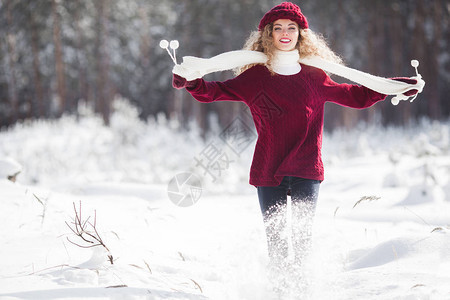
column 273, row 203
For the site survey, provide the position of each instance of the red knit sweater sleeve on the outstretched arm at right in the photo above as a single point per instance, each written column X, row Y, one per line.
column 349, row 95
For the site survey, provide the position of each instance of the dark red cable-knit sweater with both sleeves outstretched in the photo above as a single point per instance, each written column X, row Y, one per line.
column 288, row 114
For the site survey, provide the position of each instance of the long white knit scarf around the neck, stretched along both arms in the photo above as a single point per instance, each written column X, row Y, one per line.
column 287, row 63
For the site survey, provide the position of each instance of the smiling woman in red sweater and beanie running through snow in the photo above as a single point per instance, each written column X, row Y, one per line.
column 286, row 100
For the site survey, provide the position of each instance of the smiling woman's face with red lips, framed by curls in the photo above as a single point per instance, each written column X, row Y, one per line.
column 285, row 34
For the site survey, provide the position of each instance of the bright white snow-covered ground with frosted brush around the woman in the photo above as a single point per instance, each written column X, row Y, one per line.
column 381, row 227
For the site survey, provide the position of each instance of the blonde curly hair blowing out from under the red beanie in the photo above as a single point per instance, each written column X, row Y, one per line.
column 309, row 44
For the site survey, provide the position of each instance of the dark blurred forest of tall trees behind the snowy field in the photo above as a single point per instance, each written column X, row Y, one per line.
column 56, row 54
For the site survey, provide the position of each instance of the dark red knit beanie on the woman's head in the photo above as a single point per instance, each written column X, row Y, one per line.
column 285, row 10
